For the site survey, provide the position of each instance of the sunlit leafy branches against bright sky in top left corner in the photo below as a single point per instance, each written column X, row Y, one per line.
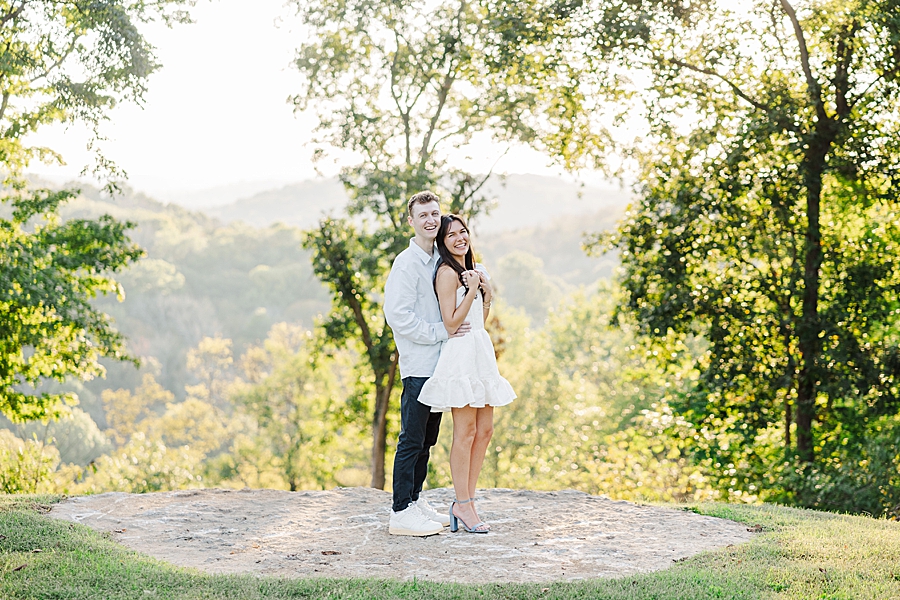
column 70, row 61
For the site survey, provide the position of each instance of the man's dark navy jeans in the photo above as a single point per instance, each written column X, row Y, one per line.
column 419, row 428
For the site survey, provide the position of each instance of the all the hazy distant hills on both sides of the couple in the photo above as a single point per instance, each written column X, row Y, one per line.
column 228, row 271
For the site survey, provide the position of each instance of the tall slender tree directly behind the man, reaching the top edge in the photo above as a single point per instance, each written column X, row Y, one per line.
column 396, row 86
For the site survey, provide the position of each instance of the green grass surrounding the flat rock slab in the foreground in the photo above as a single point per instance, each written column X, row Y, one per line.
column 800, row 554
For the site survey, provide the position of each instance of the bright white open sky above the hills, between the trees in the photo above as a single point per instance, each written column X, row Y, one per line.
column 216, row 112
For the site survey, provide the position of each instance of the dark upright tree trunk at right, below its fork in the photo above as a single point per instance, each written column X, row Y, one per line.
column 810, row 328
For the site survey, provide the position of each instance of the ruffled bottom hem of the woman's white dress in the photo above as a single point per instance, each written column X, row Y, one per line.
column 444, row 393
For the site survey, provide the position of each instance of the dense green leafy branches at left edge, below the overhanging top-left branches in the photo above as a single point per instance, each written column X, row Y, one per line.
column 50, row 271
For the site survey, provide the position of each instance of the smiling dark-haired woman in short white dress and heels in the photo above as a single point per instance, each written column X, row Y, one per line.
column 466, row 380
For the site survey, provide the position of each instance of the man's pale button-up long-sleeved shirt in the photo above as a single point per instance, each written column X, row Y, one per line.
column 411, row 309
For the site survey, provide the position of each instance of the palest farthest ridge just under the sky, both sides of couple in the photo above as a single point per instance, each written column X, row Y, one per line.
column 521, row 201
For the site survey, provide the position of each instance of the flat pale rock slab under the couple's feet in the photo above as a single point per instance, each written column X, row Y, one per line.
column 535, row 537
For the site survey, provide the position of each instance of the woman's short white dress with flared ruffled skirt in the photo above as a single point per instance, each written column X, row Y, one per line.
column 466, row 373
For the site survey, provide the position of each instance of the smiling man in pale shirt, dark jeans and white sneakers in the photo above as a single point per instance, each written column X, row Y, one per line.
column 411, row 309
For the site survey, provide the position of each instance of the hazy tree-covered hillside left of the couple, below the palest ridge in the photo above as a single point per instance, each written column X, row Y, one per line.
column 199, row 279
